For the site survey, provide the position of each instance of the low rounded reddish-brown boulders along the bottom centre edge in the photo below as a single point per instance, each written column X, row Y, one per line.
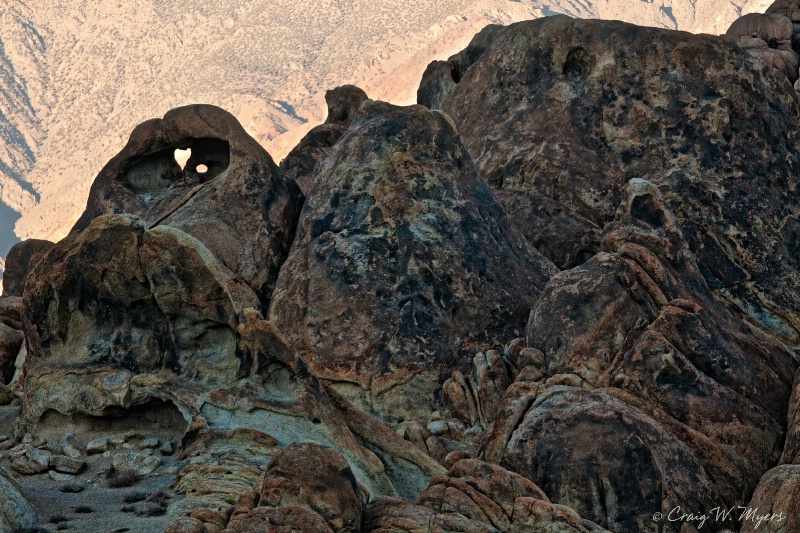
column 308, row 488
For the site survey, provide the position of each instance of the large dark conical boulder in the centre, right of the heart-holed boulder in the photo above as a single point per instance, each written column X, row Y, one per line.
column 403, row 261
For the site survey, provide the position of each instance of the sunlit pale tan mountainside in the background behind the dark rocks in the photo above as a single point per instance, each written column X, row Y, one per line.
column 77, row 76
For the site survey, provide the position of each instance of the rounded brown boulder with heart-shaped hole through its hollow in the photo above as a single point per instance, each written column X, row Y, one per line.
column 230, row 195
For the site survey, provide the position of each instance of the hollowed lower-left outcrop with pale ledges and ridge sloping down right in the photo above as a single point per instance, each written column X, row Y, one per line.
column 167, row 329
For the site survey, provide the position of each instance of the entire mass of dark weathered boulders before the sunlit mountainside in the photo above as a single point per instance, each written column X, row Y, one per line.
column 582, row 315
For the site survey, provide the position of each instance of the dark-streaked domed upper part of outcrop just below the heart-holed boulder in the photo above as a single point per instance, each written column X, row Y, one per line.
column 121, row 295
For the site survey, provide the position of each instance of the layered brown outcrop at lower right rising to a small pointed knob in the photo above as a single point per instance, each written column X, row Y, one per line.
column 685, row 402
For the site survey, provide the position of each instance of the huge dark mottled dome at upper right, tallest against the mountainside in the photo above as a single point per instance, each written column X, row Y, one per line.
column 575, row 109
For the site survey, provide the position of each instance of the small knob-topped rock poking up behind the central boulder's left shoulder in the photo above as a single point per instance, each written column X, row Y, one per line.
column 343, row 103
